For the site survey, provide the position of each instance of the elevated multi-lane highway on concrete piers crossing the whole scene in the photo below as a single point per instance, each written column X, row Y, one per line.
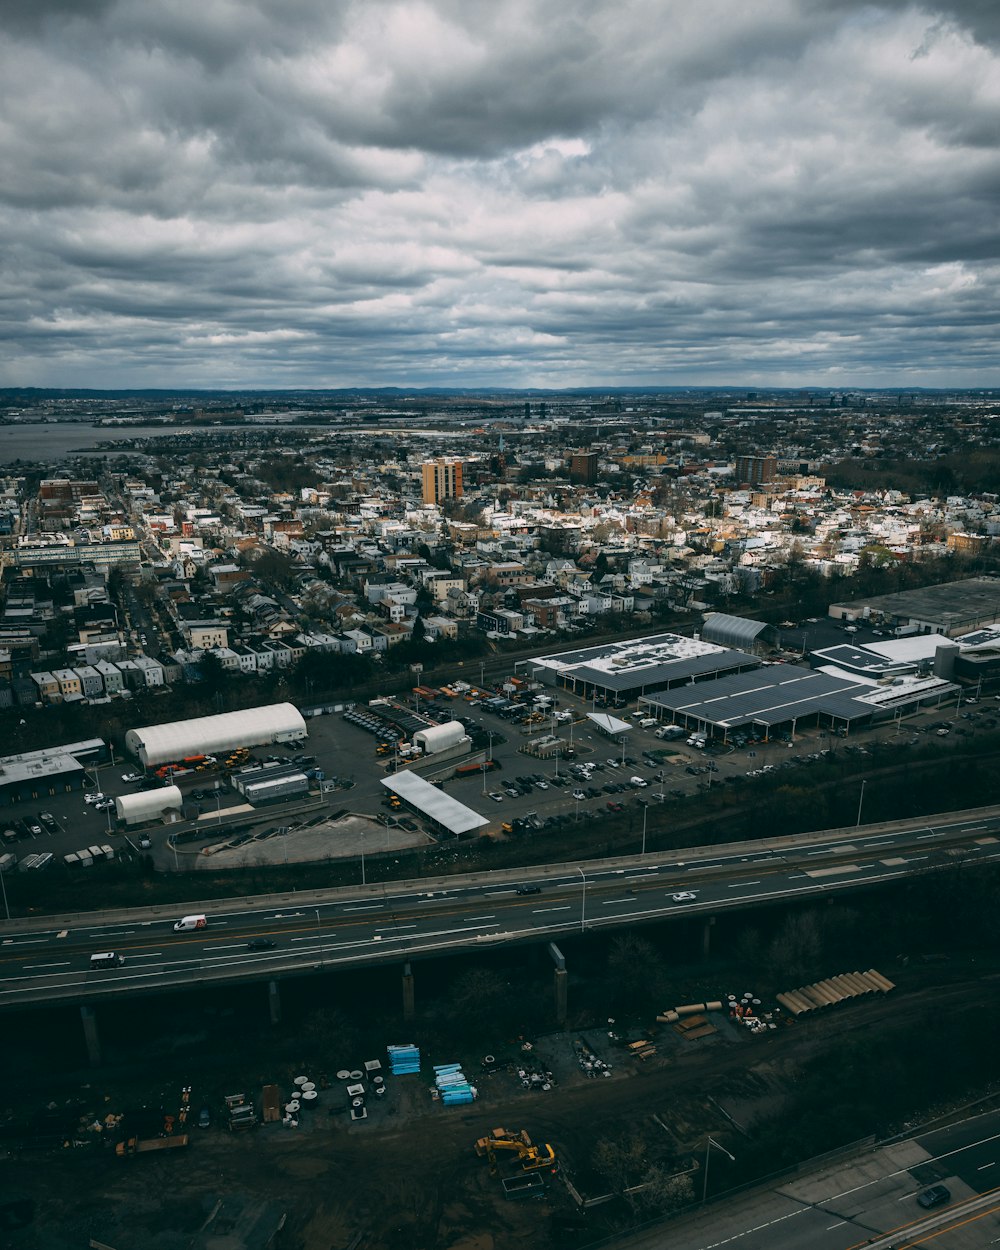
column 48, row 961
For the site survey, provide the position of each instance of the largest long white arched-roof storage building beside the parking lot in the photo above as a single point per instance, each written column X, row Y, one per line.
column 216, row 736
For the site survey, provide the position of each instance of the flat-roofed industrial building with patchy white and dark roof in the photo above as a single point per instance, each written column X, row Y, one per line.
column 618, row 673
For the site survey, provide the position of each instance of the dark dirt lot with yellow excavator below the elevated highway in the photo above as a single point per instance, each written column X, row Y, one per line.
column 408, row 1178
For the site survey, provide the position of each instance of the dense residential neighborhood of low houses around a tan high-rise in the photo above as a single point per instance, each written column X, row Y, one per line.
column 461, row 531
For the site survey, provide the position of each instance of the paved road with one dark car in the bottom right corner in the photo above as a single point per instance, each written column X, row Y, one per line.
column 867, row 1202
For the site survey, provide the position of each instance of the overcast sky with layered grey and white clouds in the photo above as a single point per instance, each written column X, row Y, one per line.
column 522, row 193
